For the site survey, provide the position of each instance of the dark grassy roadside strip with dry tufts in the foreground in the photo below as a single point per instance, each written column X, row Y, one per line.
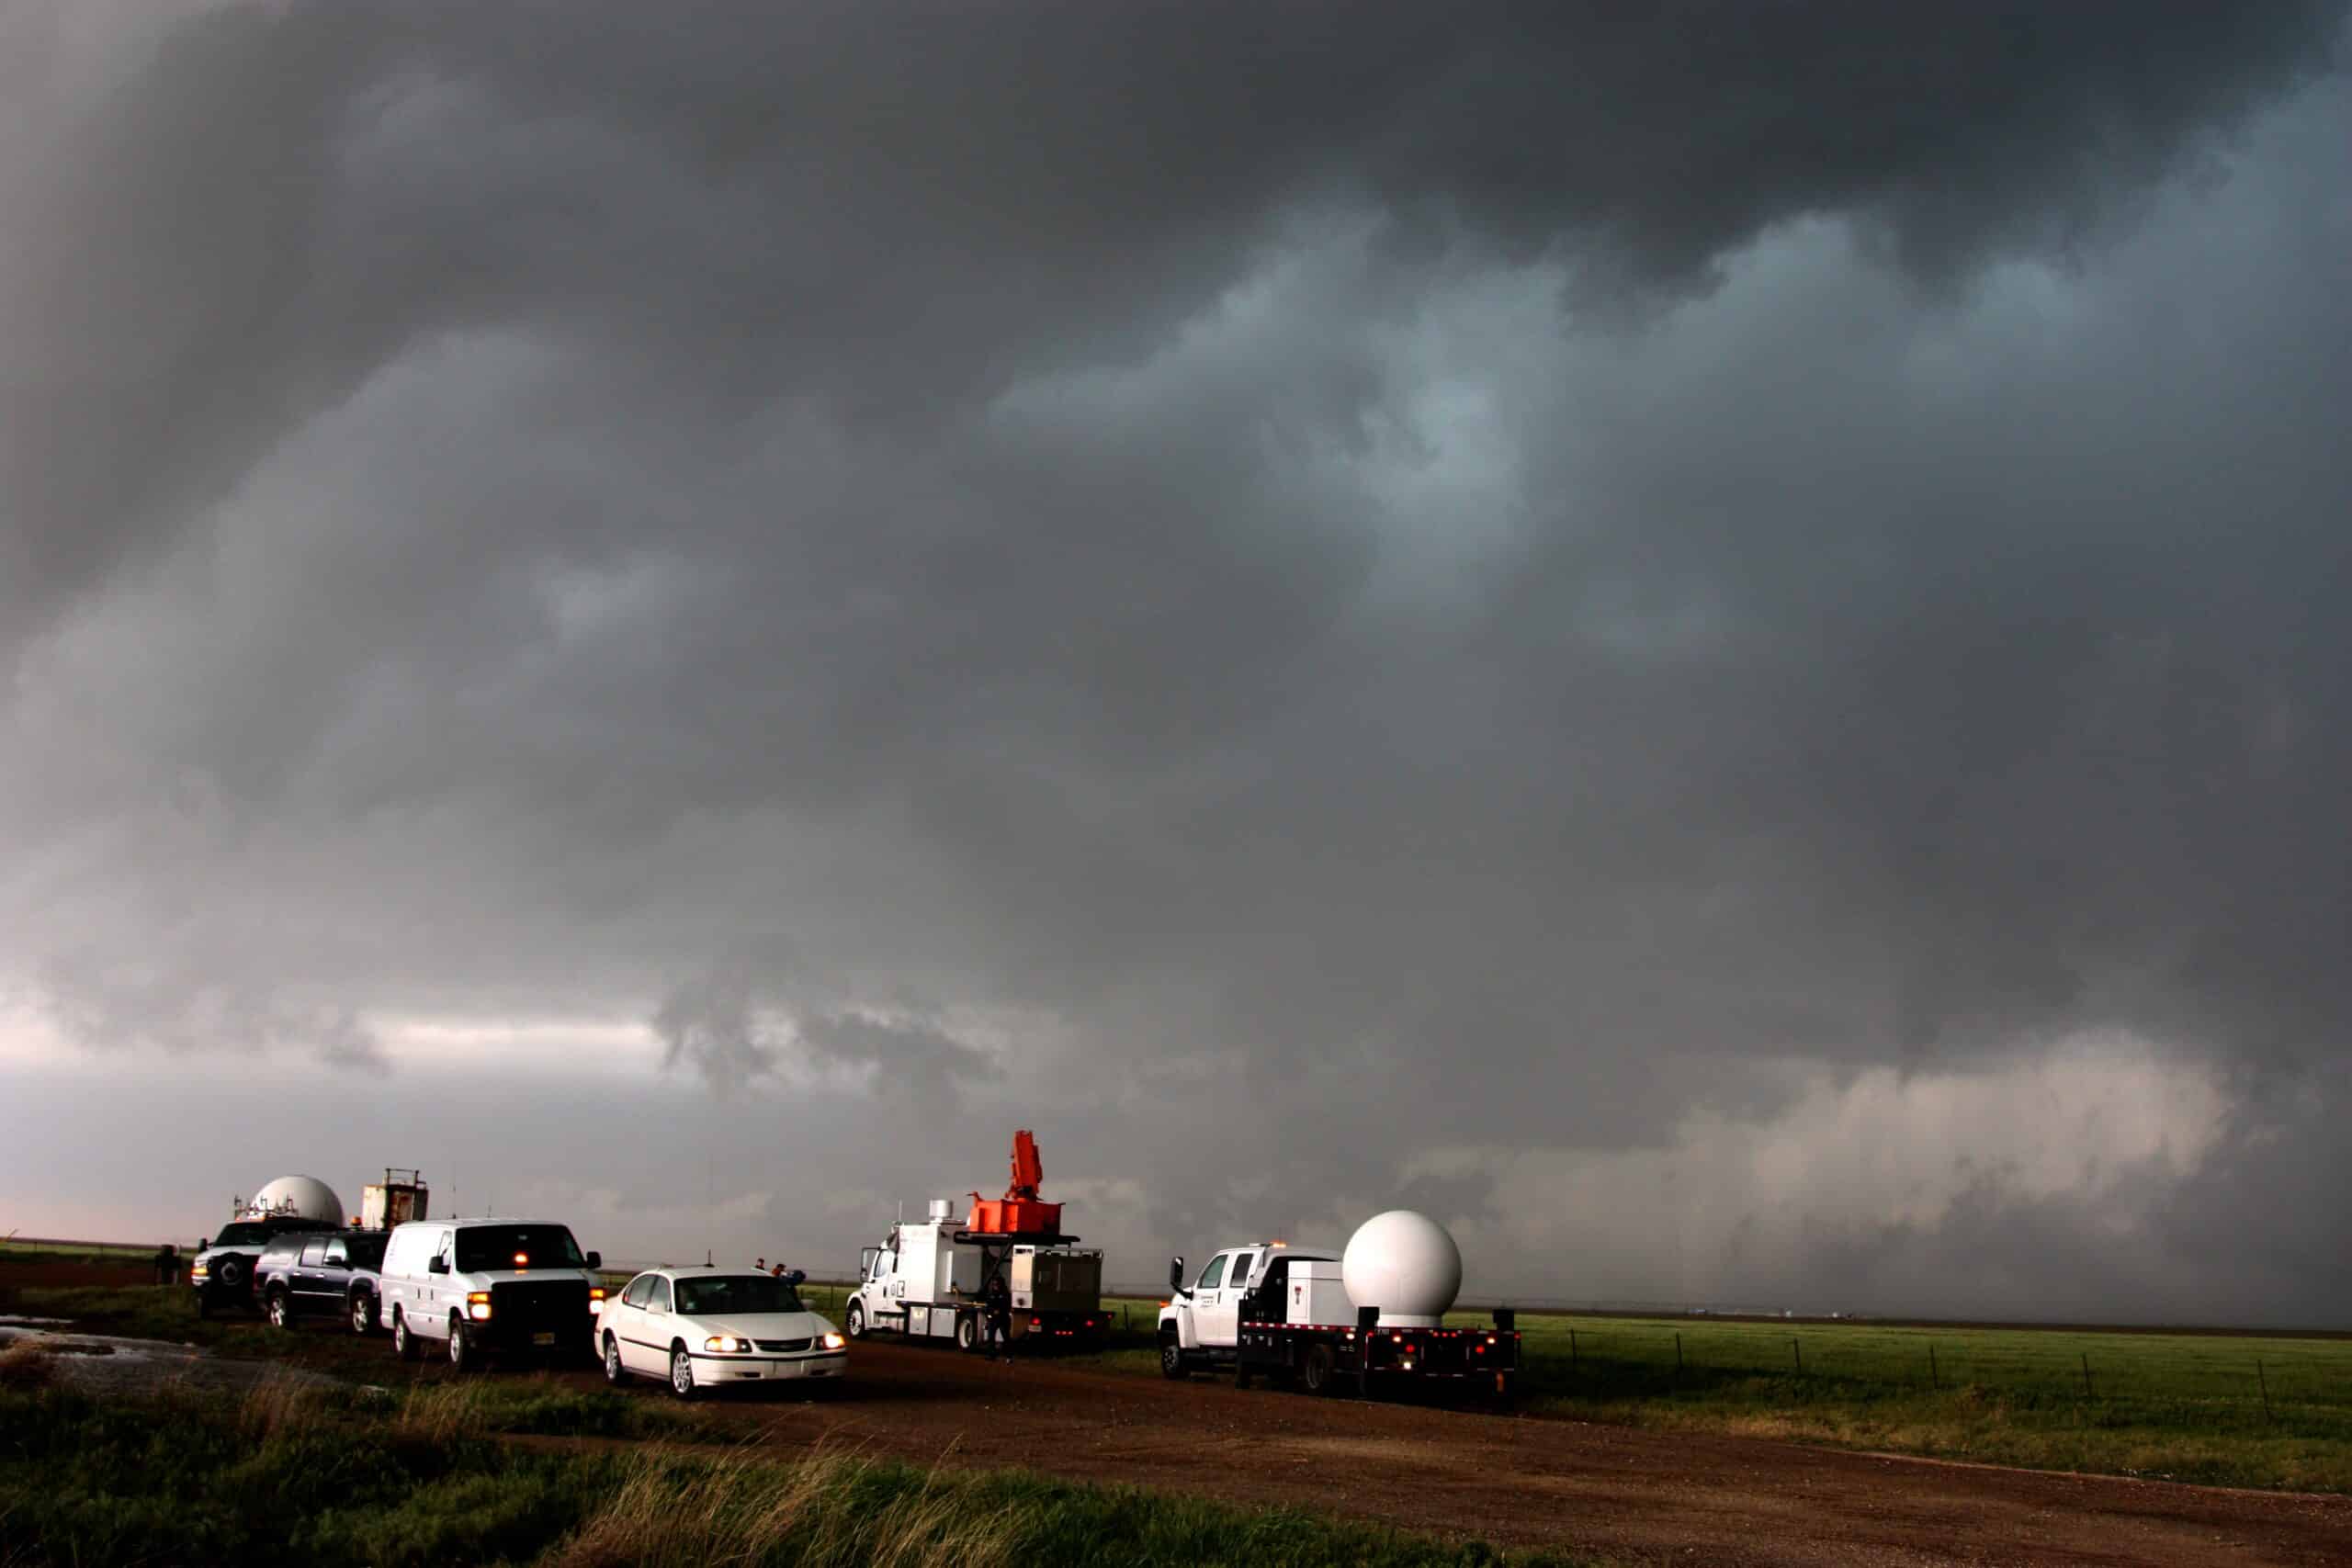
column 333, row 1475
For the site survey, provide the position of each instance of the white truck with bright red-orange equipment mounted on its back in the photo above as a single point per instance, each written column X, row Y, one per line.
column 935, row 1278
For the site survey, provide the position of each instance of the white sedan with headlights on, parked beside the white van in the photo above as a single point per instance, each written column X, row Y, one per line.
column 702, row 1329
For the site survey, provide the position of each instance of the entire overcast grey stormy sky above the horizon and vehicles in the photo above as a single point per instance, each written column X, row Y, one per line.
column 1702, row 638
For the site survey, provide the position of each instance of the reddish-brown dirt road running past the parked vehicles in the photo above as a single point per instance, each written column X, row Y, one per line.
column 1530, row 1482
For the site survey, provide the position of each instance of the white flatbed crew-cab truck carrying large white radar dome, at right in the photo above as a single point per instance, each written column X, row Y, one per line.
column 1358, row 1322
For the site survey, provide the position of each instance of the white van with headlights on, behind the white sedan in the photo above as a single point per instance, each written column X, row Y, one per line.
column 488, row 1287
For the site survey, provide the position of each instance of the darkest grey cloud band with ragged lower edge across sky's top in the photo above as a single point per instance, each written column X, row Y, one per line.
column 250, row 208
